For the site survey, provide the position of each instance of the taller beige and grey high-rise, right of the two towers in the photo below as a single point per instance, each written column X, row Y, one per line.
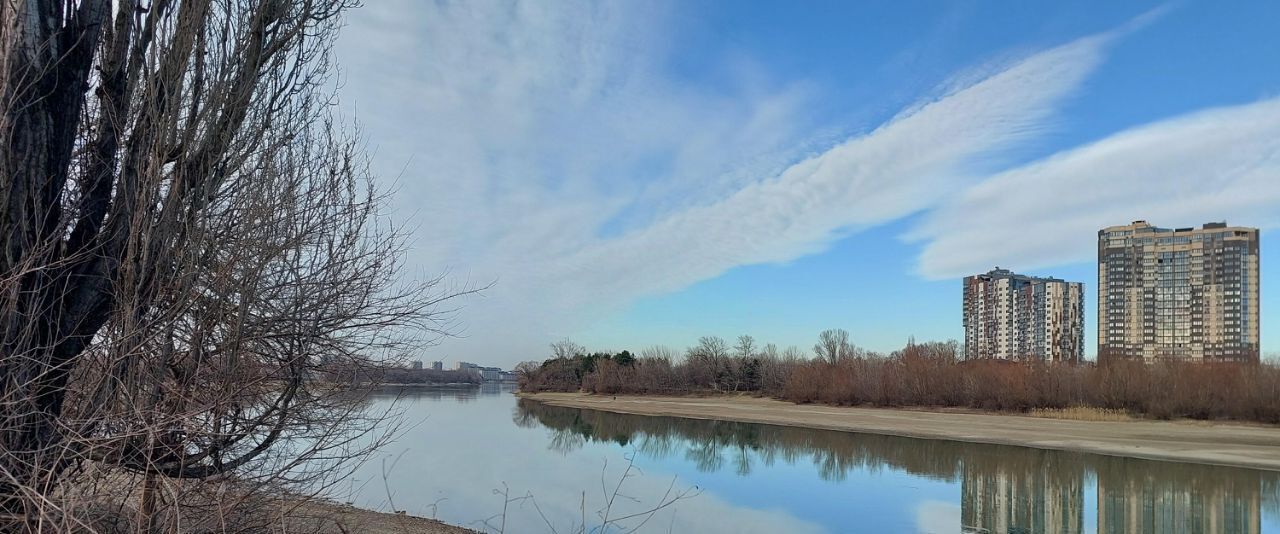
column 1187, row 294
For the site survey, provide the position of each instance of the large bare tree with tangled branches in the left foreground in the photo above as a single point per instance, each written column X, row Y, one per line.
column 189, row 243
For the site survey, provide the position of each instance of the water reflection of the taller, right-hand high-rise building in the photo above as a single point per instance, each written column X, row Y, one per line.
column 1187, row 505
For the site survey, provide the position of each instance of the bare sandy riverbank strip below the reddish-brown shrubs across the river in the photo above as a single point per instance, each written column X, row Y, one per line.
column 1199, row 442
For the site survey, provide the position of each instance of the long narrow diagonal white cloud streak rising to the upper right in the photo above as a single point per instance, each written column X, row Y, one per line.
column 903, row 167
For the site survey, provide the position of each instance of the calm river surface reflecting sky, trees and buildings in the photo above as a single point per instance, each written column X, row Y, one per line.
column 463, row 445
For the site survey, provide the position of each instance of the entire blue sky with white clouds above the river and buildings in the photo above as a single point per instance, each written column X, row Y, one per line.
column 637, row 174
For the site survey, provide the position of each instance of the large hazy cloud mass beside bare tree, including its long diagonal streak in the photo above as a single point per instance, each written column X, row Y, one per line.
column 550, row 147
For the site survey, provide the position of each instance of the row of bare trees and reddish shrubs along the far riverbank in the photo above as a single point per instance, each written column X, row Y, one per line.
column 921, row 375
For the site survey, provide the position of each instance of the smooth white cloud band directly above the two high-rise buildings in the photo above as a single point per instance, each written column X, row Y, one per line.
column 1181, row 172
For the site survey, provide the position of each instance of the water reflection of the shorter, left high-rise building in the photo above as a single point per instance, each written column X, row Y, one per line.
column 1040, row 496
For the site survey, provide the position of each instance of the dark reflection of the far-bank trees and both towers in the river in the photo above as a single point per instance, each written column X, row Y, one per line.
column 1003, row 489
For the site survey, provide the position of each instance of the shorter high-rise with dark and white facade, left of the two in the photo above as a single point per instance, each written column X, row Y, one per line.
column 1014, row 317
